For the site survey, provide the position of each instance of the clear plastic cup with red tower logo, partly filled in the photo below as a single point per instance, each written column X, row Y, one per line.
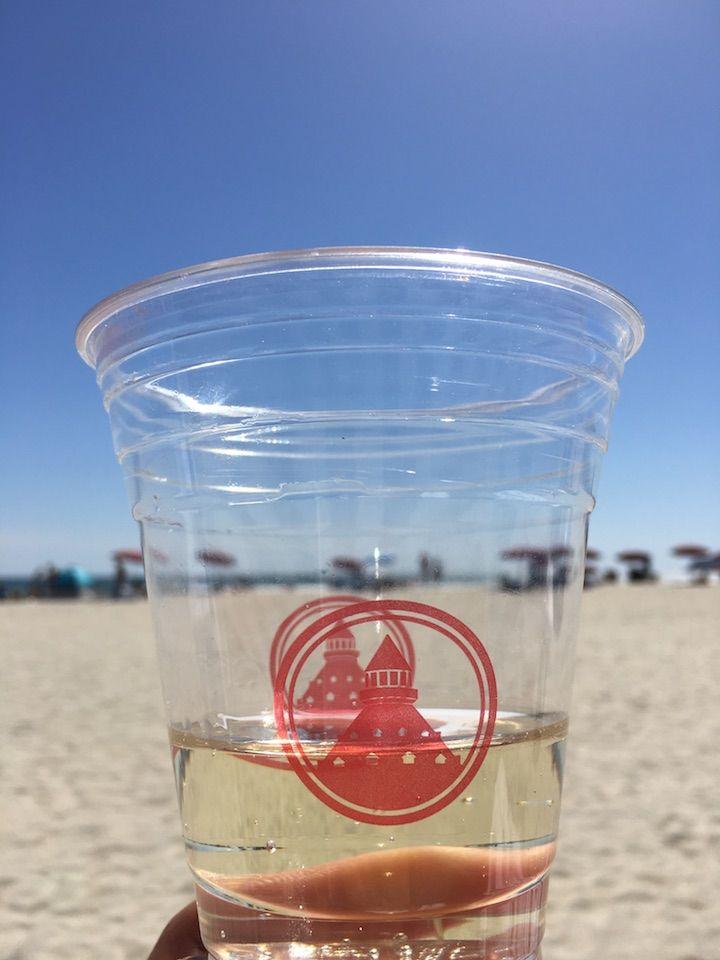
column 363, row 478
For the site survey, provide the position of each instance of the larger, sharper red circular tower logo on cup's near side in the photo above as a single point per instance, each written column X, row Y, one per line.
column 368, row 751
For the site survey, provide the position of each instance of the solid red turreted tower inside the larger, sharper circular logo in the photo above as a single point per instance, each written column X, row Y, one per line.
column 389, row 757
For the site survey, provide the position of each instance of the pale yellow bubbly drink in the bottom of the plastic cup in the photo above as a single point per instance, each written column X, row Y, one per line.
column 278, row 870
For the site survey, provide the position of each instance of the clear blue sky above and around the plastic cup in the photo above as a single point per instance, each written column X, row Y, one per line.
column 144, row 136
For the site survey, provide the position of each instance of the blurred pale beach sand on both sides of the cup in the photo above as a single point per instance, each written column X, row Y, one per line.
column 92, row 864
